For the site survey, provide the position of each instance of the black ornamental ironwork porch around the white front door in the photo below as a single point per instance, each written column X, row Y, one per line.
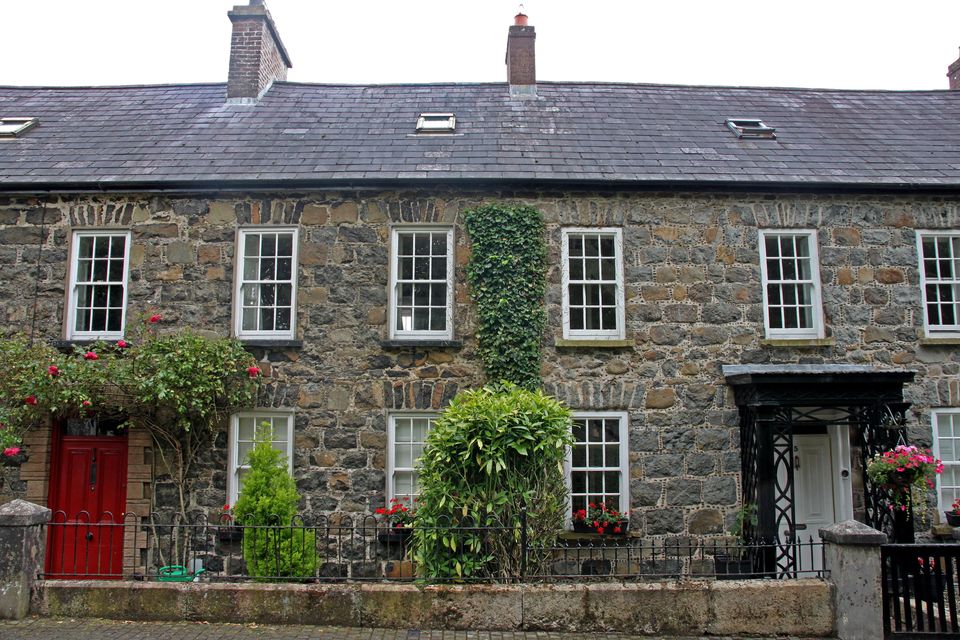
column 777, row 401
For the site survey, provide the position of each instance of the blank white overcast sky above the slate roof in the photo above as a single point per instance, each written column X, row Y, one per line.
column 852, row 44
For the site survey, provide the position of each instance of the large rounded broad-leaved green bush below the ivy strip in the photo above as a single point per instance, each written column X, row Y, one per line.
column 494, row 452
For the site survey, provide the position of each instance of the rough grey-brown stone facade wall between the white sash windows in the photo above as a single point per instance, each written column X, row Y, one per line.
column 693, row 302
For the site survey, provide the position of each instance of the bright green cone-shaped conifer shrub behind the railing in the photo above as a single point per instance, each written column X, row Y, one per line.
column 272, row 546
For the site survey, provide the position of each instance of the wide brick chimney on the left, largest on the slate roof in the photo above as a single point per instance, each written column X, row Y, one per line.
column 257, row 55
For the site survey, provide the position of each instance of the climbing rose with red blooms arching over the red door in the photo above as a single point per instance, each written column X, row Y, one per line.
column 177, row 385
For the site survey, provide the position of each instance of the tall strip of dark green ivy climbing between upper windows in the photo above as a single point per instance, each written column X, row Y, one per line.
column 507, row 276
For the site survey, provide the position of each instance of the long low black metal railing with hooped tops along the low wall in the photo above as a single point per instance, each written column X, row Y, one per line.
column 364, row 548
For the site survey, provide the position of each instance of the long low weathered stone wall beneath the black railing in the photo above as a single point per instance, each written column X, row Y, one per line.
column 749, row 607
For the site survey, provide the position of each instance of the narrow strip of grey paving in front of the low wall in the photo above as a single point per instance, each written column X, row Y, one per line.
column 94, row 629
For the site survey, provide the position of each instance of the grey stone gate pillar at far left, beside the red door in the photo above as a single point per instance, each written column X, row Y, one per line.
column 21, row 555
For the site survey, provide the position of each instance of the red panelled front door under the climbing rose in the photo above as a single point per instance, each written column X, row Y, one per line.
column 88, row 495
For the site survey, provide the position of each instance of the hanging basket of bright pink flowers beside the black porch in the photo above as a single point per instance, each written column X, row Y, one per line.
column 906, row 472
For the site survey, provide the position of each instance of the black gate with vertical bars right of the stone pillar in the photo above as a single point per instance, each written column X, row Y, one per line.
column 920, row 590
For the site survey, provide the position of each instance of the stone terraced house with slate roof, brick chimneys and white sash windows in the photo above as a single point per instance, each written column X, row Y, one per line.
column 745, row 284
